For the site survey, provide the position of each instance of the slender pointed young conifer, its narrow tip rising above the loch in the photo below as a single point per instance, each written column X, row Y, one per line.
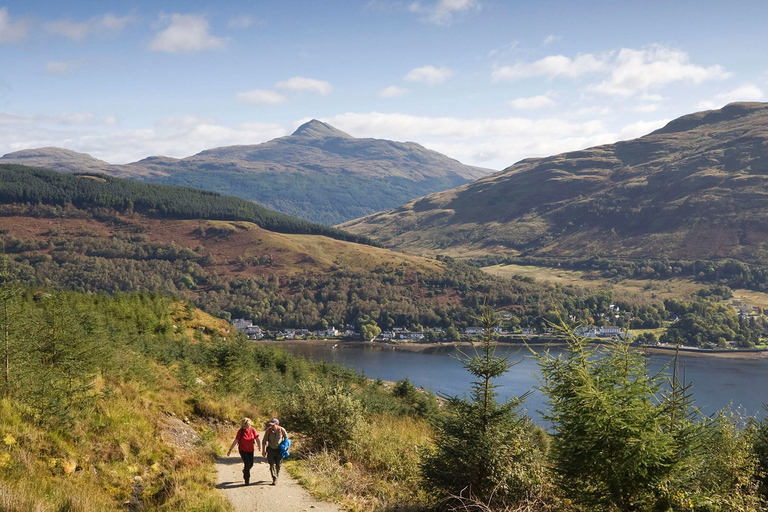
column 483, row 449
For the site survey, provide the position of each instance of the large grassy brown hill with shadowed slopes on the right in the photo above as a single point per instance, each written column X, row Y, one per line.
column 695, row 189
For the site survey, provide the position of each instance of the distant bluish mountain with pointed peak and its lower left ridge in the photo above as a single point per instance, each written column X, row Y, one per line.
column 318, row 173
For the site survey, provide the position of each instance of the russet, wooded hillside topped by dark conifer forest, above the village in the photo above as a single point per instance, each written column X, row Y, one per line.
column 94, row 234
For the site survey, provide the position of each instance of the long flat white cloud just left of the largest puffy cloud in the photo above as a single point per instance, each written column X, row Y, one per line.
column 553, row 66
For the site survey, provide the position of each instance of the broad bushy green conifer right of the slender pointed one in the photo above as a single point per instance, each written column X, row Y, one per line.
column 612, row 445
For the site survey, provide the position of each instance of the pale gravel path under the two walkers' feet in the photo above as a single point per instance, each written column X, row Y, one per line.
column 261, row 496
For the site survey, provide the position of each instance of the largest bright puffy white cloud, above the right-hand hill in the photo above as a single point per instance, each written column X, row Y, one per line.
column 637, row 71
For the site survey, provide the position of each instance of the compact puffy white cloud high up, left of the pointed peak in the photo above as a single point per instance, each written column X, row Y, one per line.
column 186, row 33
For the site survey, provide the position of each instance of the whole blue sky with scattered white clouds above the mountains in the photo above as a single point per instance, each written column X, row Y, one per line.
column 488, row 82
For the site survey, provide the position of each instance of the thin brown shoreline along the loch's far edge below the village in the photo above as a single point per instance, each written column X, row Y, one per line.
column 428, row 347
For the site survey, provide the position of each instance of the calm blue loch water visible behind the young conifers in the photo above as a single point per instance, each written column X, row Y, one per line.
column 717, row 382
